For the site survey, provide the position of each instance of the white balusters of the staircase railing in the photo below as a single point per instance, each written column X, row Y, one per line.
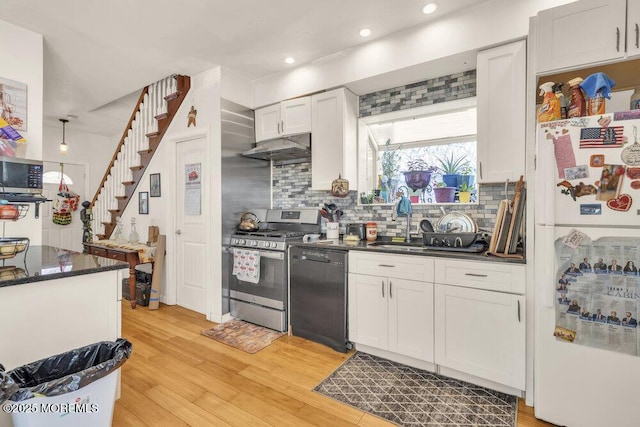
column 153, row 104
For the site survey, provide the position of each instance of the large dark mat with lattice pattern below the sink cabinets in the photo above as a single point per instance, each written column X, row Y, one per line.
column 413, row 397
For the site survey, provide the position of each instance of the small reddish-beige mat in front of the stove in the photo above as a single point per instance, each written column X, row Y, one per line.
column 242, row 335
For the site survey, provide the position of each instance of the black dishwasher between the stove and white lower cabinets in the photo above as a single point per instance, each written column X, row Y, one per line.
column 318, row 296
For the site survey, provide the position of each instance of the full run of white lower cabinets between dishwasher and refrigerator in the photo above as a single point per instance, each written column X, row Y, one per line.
column 469, row 324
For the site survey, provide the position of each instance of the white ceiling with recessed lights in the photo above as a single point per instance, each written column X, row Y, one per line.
column 98, row 55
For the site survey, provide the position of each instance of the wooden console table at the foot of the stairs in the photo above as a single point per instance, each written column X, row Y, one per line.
column 130, row 253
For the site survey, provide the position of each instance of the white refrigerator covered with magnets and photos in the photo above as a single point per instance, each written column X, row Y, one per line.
column 586, row 369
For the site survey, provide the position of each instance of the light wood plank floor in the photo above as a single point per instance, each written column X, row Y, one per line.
column 176, row 377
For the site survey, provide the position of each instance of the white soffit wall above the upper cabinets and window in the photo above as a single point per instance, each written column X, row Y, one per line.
column 429, row 47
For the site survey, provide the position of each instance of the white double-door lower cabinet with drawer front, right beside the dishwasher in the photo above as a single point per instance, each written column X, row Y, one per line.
column 391, row 303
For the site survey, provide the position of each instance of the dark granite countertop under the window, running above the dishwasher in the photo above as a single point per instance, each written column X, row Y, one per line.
column 416, row 249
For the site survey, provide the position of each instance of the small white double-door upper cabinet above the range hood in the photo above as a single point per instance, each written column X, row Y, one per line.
column 289, row 117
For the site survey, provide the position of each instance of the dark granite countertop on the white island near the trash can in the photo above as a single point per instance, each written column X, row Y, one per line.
column 41, row 263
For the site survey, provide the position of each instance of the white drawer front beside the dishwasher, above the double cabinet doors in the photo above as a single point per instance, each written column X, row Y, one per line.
column 390, row 265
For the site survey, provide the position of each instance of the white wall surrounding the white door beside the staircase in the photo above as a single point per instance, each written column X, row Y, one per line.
column 206, row 91
